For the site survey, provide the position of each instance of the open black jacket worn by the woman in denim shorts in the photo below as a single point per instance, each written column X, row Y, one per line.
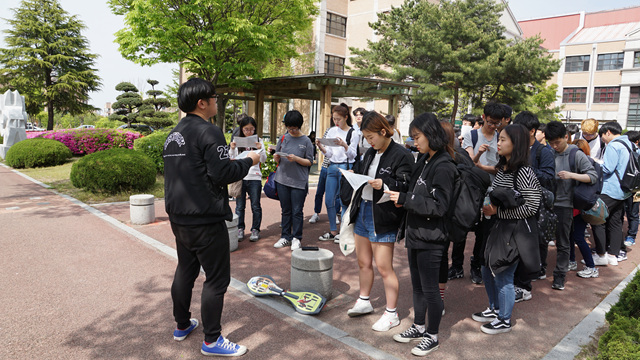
column 394, row 169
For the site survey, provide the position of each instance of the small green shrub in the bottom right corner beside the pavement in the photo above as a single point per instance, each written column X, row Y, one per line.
column 621, row 341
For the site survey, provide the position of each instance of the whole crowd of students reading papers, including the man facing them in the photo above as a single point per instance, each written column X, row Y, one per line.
column 534, row 174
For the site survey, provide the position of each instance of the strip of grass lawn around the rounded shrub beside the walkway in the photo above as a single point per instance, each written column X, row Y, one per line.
column 58, row 178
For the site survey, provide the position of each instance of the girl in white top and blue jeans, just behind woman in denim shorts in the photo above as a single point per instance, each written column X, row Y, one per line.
column 341, row 156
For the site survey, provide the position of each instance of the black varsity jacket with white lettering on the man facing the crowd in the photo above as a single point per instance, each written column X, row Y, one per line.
column 197, row 170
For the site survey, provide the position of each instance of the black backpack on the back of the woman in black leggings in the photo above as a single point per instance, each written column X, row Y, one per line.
column 469, row 194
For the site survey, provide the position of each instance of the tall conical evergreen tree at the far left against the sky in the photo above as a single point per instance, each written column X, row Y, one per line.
column 47, row 60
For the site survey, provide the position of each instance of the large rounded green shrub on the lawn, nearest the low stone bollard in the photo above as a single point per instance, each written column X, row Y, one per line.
column 115, row 170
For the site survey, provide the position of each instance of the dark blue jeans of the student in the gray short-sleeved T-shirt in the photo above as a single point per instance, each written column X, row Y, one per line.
column 291, row 203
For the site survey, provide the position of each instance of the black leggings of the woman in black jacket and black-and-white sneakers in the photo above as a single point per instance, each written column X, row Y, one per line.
column 424, row 265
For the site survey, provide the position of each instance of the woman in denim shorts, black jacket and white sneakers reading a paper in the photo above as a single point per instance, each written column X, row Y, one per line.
column 376, row 224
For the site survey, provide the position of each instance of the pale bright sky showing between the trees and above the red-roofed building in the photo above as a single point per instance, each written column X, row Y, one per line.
column 112, row 68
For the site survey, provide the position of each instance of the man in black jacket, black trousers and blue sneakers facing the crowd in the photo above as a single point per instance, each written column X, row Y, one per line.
column 197, row 170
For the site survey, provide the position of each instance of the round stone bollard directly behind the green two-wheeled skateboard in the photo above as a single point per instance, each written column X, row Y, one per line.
column 312, row 271
